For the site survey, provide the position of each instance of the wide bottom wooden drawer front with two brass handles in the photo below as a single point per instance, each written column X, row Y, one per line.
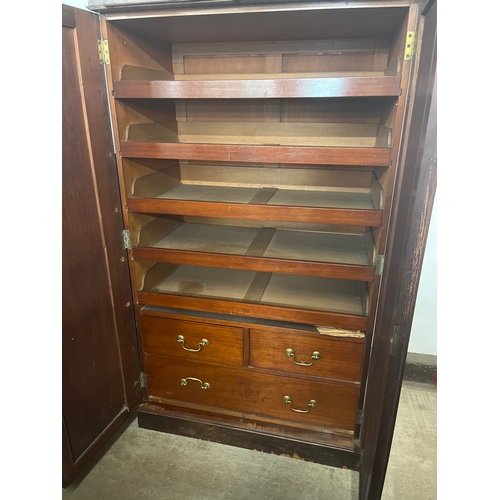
column 255, row 393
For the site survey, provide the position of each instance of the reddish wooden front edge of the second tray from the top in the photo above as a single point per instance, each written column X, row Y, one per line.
column 350, row 156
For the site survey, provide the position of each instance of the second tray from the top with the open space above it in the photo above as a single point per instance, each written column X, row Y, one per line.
column 348, row 132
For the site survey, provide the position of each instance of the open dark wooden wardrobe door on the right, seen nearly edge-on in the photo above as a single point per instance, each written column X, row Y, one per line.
column 417, row 180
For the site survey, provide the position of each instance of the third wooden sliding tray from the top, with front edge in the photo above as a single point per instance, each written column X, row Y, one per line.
column 272, row 194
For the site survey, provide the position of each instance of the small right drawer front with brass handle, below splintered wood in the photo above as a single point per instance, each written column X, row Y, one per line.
column 326, row 357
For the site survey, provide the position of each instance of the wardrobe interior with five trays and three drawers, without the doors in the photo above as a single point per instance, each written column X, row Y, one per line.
column 257, row 161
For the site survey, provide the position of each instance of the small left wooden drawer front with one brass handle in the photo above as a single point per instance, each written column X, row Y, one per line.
column 200, row 341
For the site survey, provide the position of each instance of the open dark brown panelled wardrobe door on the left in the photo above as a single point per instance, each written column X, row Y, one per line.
column 100, row 367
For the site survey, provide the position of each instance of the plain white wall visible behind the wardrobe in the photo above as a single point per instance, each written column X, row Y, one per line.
column 423, row 339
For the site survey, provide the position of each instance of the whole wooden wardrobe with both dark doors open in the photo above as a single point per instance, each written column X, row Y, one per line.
column 254, row 182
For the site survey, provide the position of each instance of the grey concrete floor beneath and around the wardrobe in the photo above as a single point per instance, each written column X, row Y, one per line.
column 140, row 464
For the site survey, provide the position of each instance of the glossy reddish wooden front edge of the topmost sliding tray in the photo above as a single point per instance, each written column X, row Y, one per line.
column 351, row 86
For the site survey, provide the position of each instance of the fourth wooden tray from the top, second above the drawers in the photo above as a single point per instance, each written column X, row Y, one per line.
column 308, row 253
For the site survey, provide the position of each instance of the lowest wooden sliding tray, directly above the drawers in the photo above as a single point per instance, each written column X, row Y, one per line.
column 310, row 300
